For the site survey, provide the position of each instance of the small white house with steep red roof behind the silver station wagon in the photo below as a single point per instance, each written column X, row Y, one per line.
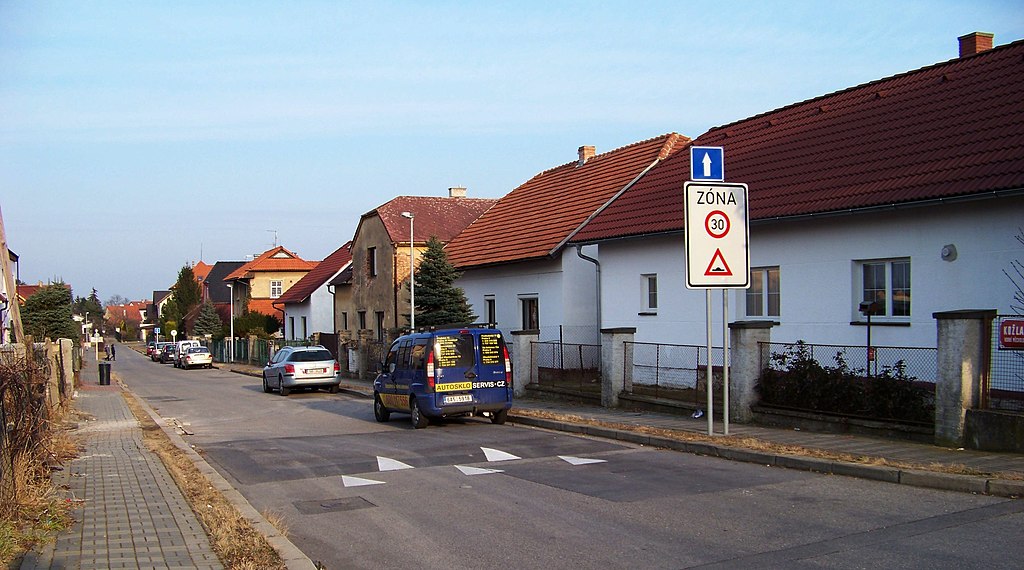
column 309, row 306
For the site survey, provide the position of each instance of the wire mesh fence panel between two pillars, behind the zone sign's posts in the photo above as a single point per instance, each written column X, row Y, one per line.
column 673, row 372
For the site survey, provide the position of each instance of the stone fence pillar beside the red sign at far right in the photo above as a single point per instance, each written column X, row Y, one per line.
column 964, row 342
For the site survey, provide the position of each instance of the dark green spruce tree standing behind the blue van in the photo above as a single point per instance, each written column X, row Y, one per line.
column 438, row 300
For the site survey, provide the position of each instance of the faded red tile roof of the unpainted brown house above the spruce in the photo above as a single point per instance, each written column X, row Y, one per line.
column 436, row 216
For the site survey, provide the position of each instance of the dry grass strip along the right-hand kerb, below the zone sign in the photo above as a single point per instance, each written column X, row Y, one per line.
column 767, row 447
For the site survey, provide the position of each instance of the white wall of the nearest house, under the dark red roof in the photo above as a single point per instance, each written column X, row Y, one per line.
column 820, row 288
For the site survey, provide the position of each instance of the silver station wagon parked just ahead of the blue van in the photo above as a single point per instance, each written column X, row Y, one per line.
column 302, row 367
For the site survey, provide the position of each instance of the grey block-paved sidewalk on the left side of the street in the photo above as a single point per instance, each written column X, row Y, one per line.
column 133, row 515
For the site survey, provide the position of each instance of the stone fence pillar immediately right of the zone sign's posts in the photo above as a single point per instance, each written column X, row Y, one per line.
column 745, row 366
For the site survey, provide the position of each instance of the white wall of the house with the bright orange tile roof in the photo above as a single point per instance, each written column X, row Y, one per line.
column 565, row 287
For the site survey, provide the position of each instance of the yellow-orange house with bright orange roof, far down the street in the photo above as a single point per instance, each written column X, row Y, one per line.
column 260, row 283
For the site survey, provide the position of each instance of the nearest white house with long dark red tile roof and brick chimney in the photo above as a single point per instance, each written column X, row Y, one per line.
column 909, row 191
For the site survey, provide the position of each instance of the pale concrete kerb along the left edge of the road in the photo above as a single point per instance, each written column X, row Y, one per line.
column 293, row 558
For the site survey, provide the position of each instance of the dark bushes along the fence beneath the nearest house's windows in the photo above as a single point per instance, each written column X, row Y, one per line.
column 796, row 379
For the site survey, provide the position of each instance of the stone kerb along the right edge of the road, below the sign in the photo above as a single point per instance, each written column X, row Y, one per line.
column 945, row 481
